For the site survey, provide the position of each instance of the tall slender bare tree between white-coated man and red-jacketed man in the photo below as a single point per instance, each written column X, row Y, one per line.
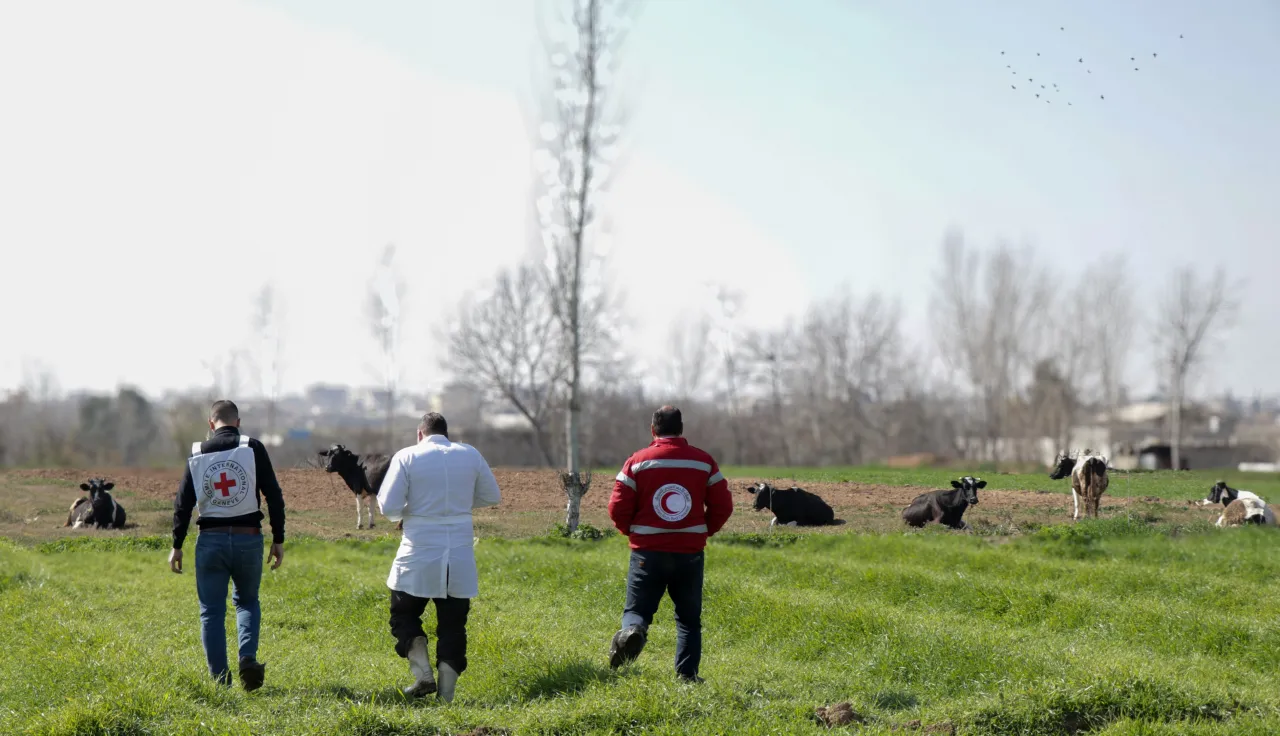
column 580, row 132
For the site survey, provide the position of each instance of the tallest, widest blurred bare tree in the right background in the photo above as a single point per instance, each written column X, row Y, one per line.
column 989, row 319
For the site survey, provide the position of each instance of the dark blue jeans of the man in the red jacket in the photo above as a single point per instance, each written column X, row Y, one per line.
column 679, row 575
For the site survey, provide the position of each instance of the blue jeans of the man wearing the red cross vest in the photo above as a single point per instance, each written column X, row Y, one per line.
column 222, row 559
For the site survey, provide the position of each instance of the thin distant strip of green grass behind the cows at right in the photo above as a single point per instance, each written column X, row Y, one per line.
column 1176, row 486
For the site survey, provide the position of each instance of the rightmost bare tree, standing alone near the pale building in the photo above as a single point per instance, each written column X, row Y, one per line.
column 1191, row 316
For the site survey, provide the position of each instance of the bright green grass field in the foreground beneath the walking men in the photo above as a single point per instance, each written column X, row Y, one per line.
column 1113, row 628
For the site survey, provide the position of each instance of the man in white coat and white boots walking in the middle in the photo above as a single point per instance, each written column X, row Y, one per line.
column 433, row 487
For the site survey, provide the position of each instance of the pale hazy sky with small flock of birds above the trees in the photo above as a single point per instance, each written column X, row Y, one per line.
column 162, row 161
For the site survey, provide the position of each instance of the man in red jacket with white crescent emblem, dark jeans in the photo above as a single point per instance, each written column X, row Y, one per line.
column 669, row 499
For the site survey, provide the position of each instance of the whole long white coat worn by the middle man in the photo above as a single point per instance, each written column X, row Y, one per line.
column 433, row 486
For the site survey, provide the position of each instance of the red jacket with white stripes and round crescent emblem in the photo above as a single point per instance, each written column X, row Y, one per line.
column 670, row 497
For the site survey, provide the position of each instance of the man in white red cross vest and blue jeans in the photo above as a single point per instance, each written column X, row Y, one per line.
column 226, row 478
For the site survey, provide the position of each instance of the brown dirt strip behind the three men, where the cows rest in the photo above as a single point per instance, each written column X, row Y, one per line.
column 34, row 505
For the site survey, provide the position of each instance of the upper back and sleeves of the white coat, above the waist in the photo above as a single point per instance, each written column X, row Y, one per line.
column 437, row 479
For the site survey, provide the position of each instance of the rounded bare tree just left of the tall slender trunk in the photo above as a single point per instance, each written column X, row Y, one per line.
column 508, row 341
